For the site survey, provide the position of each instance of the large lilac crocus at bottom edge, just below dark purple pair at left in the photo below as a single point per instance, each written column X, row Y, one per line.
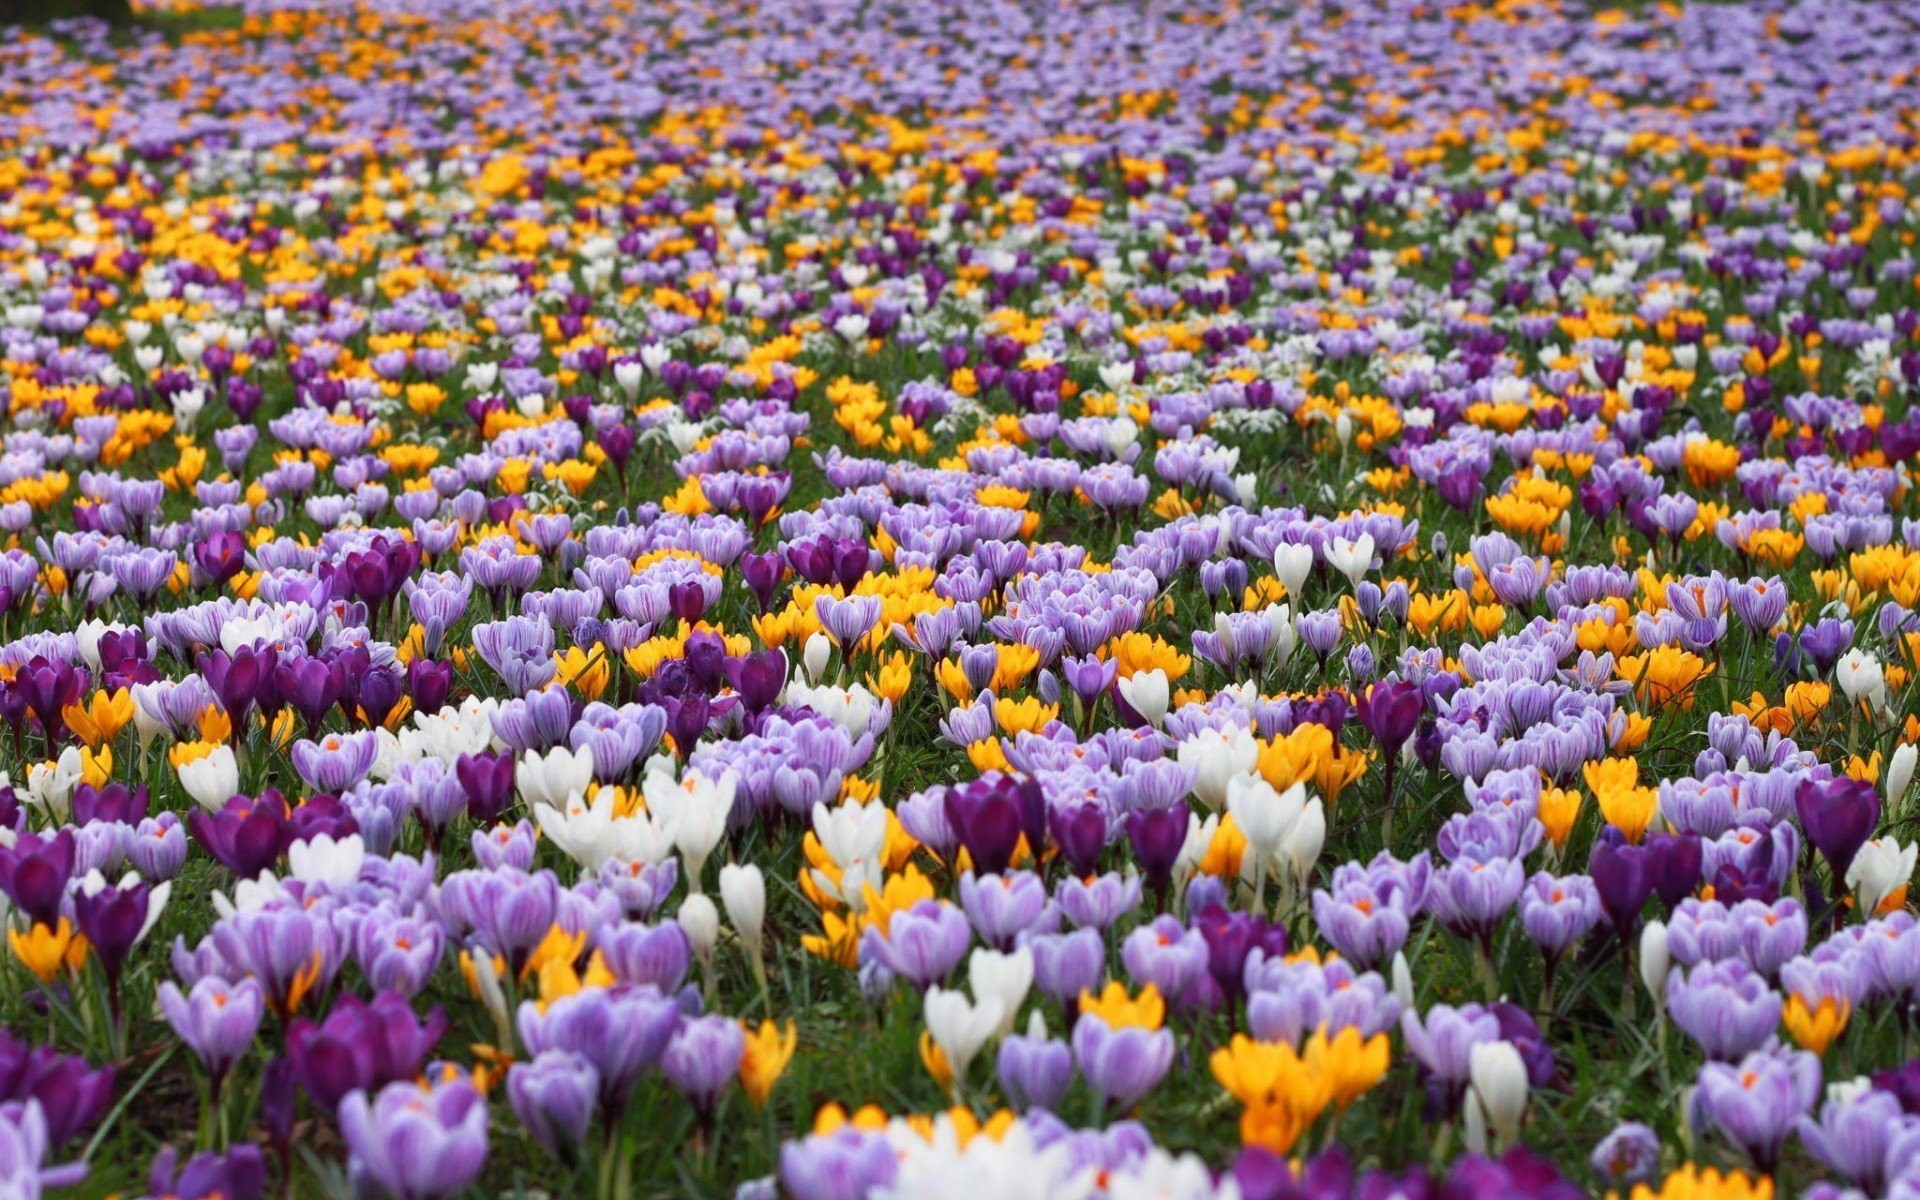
column 416, row 1141
